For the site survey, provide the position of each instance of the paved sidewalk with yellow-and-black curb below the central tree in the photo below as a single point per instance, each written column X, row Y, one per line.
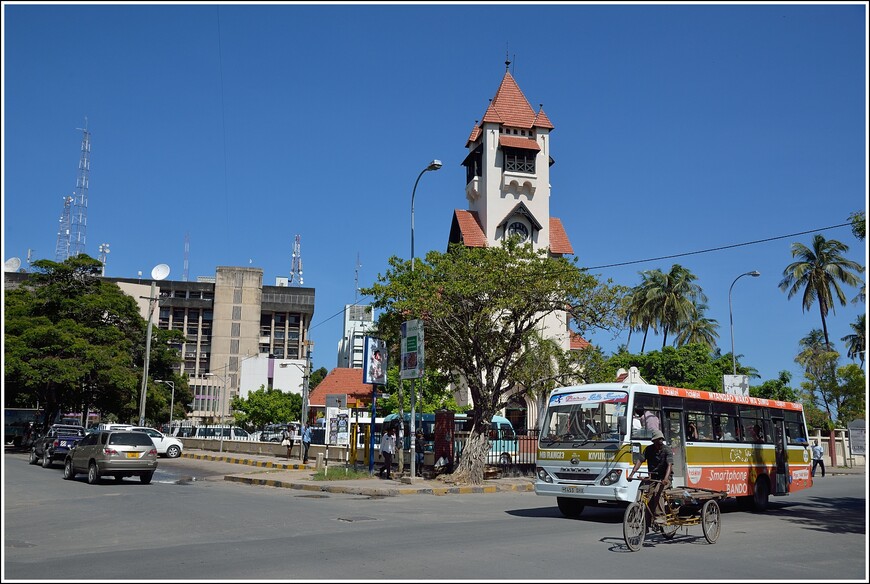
column 271, row 471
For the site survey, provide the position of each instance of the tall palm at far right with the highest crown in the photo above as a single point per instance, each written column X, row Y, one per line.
column 819, row 271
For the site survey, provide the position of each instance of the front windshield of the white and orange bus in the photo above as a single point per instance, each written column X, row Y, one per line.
column 574, row 419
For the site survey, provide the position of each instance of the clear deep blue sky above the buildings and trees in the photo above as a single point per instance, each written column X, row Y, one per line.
column 678, row 128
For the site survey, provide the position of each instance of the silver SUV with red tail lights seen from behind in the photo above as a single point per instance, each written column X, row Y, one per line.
column 118, row 454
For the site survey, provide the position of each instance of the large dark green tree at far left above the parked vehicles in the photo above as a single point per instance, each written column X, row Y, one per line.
column 74, row 342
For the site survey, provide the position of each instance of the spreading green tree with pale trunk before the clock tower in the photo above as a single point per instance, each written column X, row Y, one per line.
column 480, row 306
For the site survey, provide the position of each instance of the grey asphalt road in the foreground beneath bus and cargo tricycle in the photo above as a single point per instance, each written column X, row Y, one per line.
column 189, row 524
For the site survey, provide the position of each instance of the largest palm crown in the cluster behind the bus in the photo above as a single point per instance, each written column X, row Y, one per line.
column 671, row 298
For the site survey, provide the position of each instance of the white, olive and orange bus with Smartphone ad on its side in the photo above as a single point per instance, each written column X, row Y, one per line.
column 749, row 447
